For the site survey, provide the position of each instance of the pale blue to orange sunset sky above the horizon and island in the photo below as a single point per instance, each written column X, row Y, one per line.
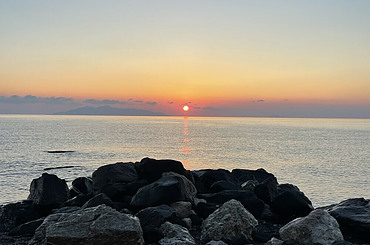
column 221, row 58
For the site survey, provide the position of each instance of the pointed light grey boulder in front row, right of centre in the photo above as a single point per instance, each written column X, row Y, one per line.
column 228, row 223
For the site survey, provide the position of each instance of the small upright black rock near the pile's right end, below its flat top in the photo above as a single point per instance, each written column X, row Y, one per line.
column 267, row 190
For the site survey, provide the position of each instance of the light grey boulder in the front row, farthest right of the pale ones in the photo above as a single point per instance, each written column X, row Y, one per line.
column 319, row 227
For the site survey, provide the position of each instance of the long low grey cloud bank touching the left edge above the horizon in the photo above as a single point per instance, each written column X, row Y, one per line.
column 29, row 99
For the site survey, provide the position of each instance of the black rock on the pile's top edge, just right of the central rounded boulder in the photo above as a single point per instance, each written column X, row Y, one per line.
column 204, row 179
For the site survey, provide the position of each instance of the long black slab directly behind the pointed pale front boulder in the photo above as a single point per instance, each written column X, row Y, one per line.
column 247, row 198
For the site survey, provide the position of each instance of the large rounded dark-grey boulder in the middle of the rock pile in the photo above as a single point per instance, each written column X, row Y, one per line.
column 170, row 188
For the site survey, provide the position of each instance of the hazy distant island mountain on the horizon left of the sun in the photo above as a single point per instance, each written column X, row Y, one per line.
column 108, row 110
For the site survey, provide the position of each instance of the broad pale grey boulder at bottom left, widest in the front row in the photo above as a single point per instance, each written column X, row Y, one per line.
column 97, row 225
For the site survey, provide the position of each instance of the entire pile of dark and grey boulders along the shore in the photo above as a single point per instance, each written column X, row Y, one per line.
column 160, row 202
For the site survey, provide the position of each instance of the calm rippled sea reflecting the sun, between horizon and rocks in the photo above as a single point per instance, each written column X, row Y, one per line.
column 328, row 159
